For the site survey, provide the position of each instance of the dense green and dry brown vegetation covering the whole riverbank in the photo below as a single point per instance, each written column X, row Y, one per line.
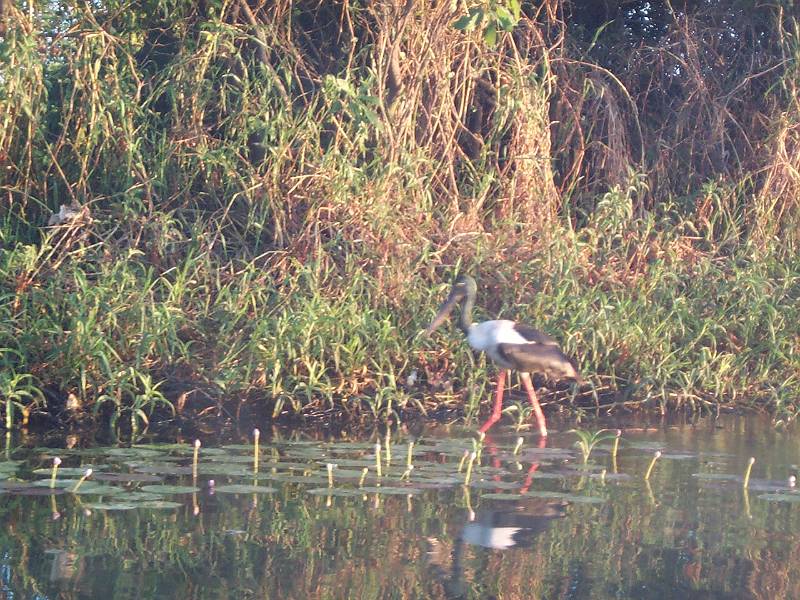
column 265, row 202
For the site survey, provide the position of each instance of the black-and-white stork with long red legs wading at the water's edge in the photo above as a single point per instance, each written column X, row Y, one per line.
column 510, row 345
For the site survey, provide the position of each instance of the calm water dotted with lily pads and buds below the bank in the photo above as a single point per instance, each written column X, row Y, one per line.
column 538, row 524
